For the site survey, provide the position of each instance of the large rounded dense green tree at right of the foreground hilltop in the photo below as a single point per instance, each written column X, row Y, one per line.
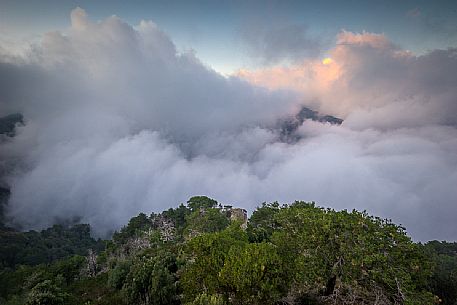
column 350, row 255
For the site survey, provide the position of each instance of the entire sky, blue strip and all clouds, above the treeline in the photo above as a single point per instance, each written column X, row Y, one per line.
column 136, row 108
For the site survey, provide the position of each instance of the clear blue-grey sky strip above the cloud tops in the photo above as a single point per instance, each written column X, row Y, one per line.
column 217, row 30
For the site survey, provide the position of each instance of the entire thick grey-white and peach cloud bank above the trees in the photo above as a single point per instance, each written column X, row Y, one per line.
column 118, row 122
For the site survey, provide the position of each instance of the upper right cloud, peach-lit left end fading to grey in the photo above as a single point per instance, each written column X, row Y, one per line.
column 371, row 82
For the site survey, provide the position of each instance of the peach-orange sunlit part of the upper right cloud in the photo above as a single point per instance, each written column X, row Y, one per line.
column 326, row 84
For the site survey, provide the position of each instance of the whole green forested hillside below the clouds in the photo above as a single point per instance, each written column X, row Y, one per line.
column 206, row 253
